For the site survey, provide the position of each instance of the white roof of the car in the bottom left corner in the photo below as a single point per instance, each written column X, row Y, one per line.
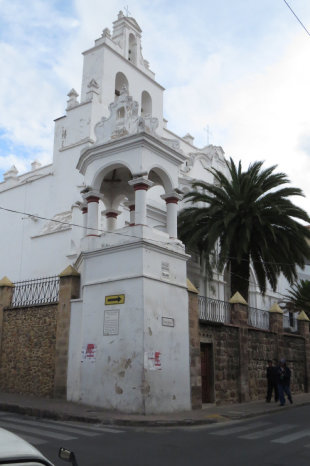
column 14, row 447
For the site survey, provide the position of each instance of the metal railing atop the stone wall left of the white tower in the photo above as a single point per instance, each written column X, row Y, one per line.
column 37, row 291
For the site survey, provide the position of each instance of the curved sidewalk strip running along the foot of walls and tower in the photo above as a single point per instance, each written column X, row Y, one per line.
column 210, row 413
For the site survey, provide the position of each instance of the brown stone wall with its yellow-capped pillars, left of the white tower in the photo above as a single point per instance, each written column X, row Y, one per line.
column 34, row 341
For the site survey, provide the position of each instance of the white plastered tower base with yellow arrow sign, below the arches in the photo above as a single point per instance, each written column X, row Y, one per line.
column 129, row 334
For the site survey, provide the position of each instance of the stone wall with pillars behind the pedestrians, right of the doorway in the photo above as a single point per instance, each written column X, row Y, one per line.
column 240, row 355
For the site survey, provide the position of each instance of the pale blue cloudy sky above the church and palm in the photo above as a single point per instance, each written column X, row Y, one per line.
column 241, row 67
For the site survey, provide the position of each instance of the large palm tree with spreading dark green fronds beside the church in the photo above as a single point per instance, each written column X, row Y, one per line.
column 249, row 218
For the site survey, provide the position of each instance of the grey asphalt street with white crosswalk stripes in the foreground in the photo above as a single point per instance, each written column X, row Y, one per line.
column 281, row 439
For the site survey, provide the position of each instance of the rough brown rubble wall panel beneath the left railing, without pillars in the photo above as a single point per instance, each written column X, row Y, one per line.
column 28, row 350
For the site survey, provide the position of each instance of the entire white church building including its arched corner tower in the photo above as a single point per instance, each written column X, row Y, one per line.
column 107, row 205
